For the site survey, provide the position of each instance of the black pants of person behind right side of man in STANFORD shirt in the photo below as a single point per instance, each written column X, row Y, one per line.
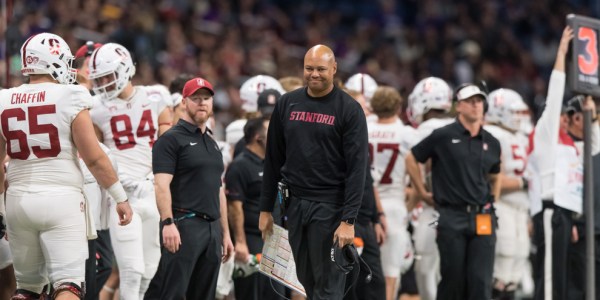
column 374, row 290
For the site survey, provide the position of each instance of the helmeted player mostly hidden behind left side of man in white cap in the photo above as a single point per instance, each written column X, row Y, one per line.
column 428, row 107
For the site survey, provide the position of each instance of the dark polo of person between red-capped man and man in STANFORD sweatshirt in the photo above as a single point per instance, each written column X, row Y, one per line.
column 243, row 182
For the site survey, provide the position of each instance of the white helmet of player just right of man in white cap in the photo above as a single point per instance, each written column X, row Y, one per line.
column 507, row 108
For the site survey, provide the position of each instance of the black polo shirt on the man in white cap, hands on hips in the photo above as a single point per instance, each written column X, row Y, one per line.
column 460, row 164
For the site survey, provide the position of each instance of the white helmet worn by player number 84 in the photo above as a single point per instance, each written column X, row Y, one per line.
column 111, row 68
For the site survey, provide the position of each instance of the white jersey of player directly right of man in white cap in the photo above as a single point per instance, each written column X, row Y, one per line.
column 514, row 161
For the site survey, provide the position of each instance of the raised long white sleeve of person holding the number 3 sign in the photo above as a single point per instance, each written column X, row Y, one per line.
column 545, row 140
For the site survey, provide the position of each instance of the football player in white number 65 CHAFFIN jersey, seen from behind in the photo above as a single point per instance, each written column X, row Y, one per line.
column 44, row 124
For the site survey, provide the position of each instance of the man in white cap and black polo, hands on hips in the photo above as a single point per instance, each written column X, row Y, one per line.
column 465, row 166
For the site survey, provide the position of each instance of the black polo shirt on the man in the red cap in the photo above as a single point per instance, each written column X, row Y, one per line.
column 196, row 163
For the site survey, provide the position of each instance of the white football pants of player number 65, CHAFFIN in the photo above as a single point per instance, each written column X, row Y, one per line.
column 47, row 235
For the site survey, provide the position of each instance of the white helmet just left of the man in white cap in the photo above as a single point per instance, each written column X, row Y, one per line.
column 429, row 93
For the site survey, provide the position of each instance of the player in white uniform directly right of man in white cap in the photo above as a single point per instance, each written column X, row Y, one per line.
column 506, row 112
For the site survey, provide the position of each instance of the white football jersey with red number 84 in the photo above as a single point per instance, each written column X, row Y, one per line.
column 130, row 128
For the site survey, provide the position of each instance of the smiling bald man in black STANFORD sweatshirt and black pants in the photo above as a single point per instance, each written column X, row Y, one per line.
column 317, row 143
